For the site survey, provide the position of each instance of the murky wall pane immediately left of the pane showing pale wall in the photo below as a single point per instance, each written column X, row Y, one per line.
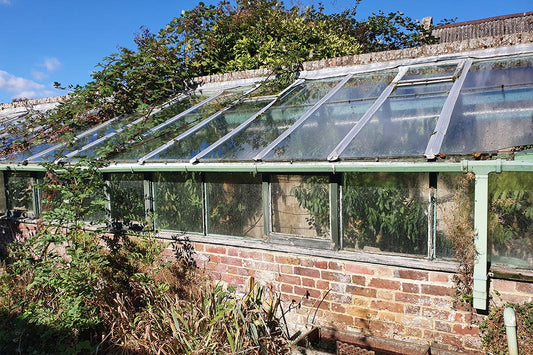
column 234, row 205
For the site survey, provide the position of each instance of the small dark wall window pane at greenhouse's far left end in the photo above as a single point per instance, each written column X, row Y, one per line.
column 19, row 189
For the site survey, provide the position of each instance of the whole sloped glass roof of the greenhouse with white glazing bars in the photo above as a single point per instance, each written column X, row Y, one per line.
column 417, row 109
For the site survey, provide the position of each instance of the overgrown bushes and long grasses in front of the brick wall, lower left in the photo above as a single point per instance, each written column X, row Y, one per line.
column 71, row 290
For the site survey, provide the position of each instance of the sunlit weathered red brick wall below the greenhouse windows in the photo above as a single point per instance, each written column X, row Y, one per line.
column 383, row 301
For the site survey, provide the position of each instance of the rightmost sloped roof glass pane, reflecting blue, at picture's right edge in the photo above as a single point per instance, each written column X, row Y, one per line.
column 494, row 109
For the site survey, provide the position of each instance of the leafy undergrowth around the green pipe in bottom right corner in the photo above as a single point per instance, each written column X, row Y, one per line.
column 493, row 329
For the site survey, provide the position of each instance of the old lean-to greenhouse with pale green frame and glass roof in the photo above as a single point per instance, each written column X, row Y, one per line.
column 363, row 161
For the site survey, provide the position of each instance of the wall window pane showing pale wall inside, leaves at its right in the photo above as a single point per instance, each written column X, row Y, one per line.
column 300, row 205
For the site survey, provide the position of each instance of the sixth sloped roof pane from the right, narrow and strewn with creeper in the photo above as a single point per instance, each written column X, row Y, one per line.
column 140, row 142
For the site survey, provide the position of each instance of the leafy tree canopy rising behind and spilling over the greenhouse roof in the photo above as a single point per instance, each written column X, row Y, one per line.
column 212, row 39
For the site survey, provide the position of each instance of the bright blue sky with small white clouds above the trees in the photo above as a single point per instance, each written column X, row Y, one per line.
column 45, row 41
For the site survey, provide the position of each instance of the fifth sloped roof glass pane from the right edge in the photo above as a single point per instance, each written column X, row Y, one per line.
column 227, row 121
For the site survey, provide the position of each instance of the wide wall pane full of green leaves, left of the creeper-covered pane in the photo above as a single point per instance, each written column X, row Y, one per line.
column 386, row 212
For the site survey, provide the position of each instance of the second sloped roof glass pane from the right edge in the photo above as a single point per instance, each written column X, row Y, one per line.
column 403, row 124
